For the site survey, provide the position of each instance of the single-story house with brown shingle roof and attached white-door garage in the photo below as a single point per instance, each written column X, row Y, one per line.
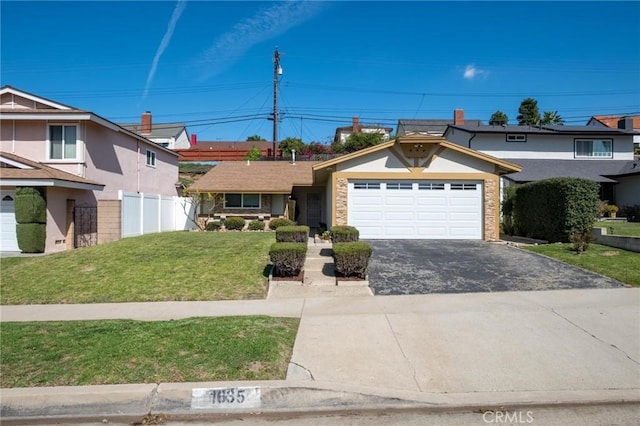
column 416, row 187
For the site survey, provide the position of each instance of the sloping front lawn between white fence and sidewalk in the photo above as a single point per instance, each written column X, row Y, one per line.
column 157, row 267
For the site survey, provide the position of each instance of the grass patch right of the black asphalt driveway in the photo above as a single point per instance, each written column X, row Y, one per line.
column 615, row 263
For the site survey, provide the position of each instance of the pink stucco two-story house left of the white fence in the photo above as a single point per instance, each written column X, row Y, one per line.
column 83, row 162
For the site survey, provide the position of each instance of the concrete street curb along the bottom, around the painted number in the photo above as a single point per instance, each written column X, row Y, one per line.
column 131, row 403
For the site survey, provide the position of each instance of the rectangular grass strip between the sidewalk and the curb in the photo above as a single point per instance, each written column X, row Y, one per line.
column 118, row 352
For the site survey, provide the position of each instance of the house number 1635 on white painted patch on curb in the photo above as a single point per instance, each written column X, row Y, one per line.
column 224, row 398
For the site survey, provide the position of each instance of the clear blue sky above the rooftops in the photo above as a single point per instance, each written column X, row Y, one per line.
column 209, row 63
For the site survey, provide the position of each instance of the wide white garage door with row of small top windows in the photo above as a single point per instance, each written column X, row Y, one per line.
column 416, row 210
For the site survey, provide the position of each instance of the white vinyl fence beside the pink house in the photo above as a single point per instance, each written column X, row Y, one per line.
column 148, row 213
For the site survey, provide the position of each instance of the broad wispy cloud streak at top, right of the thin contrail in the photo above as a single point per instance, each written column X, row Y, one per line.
column 264, row 25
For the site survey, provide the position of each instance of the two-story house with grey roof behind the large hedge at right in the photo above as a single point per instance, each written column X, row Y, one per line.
column 599, row 153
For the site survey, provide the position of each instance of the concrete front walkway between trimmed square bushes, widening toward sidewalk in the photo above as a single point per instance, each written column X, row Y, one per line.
column 319, row 277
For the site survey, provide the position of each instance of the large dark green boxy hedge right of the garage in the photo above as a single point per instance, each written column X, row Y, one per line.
column 554, row 209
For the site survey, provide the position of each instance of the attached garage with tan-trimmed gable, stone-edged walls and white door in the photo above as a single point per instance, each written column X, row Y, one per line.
column 415, row 187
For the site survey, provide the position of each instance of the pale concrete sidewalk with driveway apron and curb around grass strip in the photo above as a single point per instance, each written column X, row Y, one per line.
column 433, row 351
